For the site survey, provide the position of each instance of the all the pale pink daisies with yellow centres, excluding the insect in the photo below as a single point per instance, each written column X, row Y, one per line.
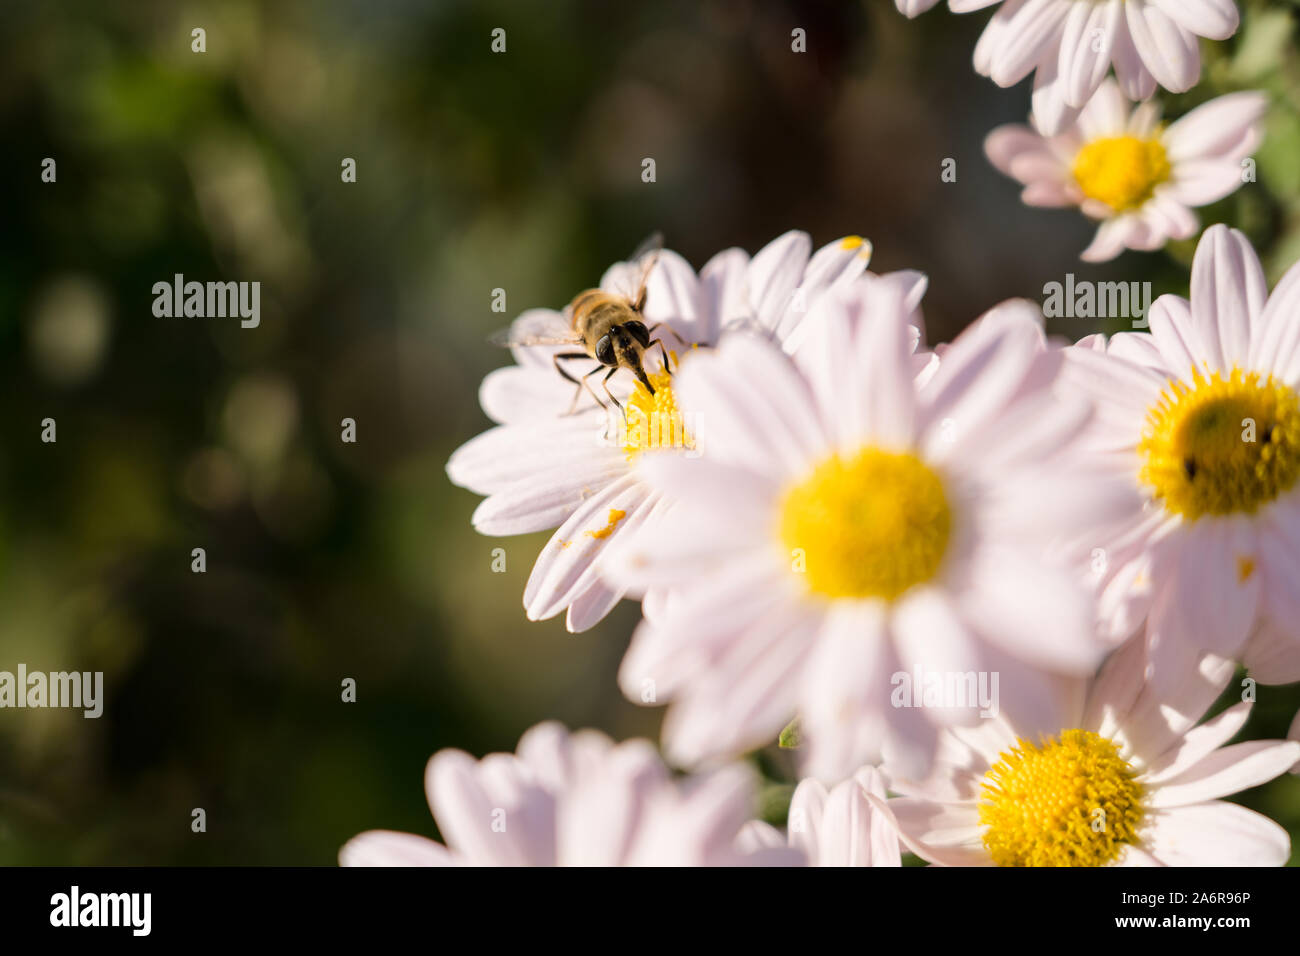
column 990, row 594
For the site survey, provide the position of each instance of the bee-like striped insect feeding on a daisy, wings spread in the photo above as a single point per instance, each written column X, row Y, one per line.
column 610, row 327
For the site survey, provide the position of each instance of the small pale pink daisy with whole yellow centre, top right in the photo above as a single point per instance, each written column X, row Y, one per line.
column 1120, row 166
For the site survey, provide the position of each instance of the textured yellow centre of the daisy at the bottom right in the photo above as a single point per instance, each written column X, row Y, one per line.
column 1073, row 802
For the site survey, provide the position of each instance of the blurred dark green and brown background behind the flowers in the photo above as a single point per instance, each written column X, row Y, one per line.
column 475, row 171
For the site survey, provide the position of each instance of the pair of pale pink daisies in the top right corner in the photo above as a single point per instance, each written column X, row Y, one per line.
column 1097, row 139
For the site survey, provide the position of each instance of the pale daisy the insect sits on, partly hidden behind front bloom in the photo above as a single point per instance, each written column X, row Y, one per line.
column 544, row 469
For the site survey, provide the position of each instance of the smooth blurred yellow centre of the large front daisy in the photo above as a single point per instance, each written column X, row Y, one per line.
column 869, row 526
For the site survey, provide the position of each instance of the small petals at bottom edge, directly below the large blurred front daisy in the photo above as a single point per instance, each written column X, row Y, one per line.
column 837, row 827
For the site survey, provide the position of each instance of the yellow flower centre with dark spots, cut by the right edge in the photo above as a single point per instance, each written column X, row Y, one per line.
column 1221, row 445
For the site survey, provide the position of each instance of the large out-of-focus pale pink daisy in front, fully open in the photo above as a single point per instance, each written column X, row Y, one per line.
column 847, row 525
